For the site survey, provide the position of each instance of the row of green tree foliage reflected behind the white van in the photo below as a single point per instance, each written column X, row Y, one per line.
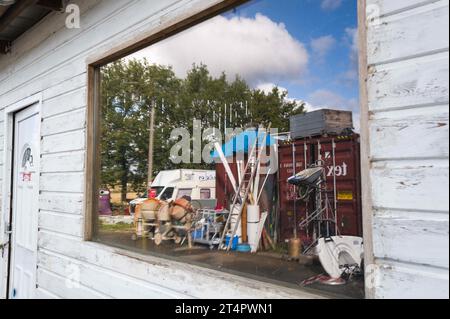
column 130, row 88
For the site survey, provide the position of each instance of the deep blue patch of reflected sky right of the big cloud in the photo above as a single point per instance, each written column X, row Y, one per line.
column 308, row 20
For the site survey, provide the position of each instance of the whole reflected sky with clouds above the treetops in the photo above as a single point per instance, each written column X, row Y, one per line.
column 307, row 47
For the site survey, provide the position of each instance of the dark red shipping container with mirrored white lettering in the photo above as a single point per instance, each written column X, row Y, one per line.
column 348, row 182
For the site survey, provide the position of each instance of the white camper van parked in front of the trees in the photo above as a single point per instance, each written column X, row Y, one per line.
column 198, row 185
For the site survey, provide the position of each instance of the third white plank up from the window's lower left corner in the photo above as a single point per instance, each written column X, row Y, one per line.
column 62, row 182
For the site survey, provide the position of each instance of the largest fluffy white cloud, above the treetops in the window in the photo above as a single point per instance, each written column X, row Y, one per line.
column 258, row 49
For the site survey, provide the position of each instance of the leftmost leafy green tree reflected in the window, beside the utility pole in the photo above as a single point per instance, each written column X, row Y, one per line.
column 129, row 89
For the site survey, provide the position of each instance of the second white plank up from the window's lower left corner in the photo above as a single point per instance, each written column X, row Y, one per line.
column 64, row 203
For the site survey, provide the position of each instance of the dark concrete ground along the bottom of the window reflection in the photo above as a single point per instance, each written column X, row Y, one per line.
column 262, row 266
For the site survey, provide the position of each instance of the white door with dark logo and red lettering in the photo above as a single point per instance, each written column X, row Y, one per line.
column 25, row 199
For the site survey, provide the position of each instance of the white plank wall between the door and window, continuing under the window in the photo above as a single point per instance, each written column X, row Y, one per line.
column 51, row 60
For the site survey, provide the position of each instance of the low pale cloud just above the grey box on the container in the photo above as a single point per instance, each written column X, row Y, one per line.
column 324, row 99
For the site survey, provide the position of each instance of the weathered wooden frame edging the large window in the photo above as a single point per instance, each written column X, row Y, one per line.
column 172, row 28
